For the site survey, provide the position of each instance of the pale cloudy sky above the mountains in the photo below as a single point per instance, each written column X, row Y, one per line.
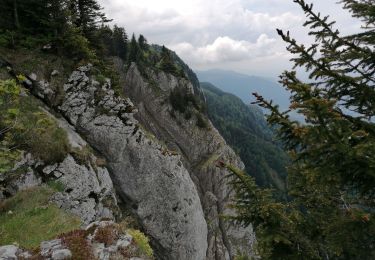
column 238, row 35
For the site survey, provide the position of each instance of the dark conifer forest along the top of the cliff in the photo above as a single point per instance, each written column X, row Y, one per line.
column 79, row 31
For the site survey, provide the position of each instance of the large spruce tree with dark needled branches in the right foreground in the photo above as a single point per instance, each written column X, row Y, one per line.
column 331, row 178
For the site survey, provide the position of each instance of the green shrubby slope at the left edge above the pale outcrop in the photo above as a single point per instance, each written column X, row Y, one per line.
column 26, row 127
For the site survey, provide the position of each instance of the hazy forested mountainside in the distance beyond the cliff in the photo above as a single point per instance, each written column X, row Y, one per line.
column 245, row 129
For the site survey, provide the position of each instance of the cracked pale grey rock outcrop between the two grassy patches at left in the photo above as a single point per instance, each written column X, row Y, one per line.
column 86, row 188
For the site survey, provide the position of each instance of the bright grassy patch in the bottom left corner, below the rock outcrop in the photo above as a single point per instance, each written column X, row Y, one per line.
column 28, row 218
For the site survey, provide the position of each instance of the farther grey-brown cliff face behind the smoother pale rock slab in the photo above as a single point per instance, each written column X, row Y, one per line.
column 200, row 149
